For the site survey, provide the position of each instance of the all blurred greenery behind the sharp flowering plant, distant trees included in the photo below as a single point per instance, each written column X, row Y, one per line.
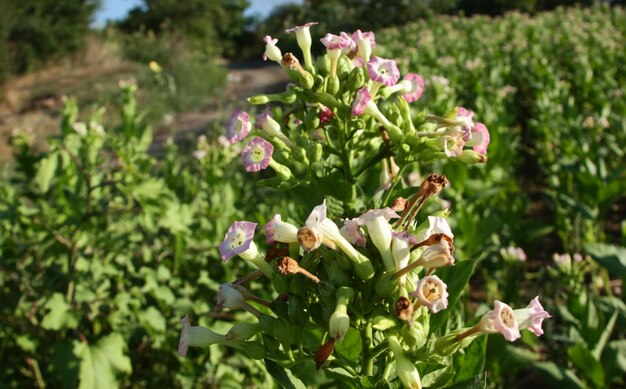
column 105, row 245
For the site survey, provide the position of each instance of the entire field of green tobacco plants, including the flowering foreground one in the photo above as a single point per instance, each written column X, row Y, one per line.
column 106, row 247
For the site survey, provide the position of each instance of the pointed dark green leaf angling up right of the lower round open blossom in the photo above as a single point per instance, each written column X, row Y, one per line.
column 456, row 277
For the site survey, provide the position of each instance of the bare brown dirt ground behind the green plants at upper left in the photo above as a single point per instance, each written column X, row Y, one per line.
column 34, row 102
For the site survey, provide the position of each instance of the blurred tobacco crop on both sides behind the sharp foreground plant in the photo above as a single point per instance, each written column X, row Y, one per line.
column 105, row 247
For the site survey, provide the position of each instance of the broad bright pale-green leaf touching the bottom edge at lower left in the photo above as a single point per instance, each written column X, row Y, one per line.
column 103, row 362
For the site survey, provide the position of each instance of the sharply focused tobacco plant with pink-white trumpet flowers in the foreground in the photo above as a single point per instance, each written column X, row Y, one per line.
column 362, row 287
